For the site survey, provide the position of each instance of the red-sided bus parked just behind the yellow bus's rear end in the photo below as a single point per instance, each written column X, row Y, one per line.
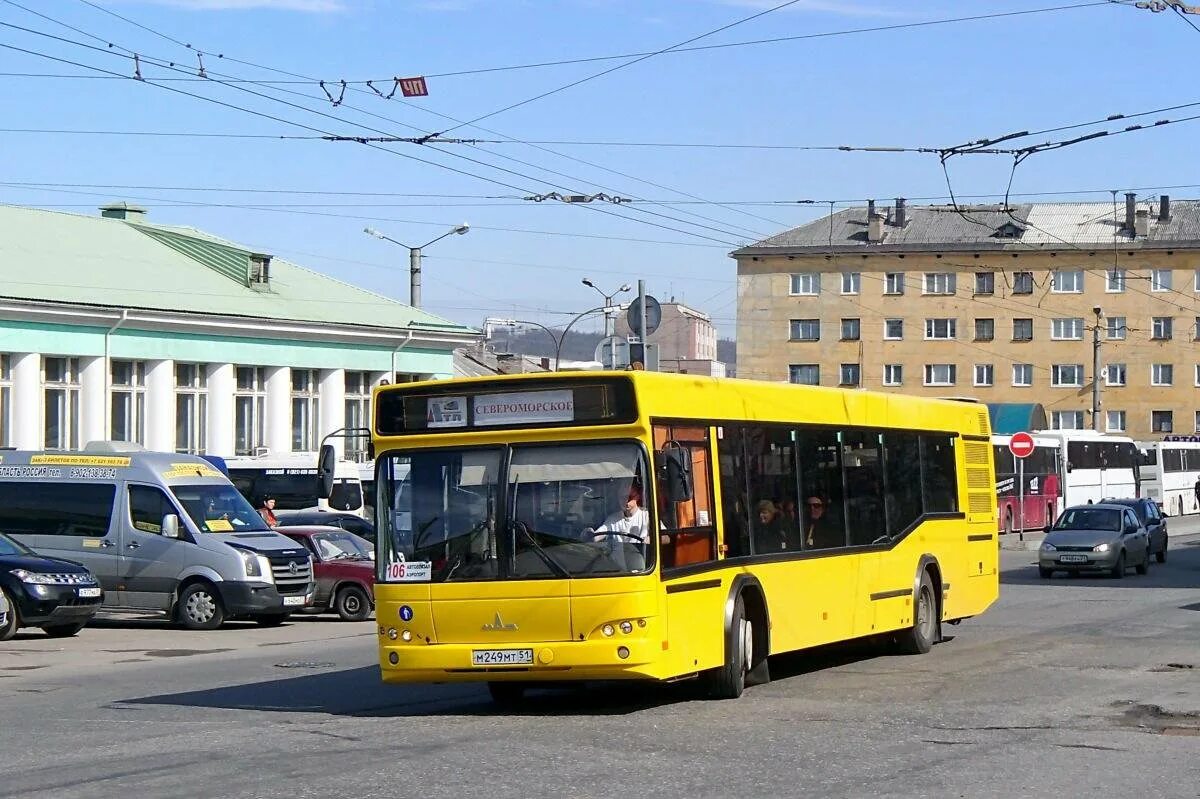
column 1043, row 482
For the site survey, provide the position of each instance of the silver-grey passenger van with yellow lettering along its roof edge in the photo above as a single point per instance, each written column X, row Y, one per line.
column 161, row 532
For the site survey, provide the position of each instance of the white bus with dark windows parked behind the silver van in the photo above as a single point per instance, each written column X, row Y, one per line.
column 293, row 483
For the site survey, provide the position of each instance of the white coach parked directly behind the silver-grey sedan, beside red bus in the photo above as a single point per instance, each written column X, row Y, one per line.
column 1095, row 466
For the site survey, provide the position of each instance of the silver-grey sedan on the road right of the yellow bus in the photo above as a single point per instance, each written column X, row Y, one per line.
column 1095, row 538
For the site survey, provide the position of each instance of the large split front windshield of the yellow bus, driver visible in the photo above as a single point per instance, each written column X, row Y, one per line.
column 526, row 513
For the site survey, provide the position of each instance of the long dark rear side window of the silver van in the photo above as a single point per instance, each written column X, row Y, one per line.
column 57, row 508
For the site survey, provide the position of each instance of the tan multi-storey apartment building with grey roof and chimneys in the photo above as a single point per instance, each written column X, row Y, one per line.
column 999, row 304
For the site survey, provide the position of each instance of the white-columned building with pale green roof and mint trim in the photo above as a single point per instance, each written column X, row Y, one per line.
column 115, row 328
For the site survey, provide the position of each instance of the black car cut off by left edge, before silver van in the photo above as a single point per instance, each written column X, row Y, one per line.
column 57, row 596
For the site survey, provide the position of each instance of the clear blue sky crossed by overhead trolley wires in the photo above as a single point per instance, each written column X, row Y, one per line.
column 927, row 87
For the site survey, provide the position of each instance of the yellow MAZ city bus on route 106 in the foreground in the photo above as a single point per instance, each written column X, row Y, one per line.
column 611, row 526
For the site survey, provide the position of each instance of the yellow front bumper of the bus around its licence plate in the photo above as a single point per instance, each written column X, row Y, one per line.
column 561, row 660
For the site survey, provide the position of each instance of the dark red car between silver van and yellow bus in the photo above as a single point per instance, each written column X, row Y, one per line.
column 344, row 567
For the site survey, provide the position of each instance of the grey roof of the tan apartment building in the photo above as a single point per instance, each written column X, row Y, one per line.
column 1024, row 227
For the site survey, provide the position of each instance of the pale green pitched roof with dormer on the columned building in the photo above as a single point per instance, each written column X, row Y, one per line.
column 57, row 257
